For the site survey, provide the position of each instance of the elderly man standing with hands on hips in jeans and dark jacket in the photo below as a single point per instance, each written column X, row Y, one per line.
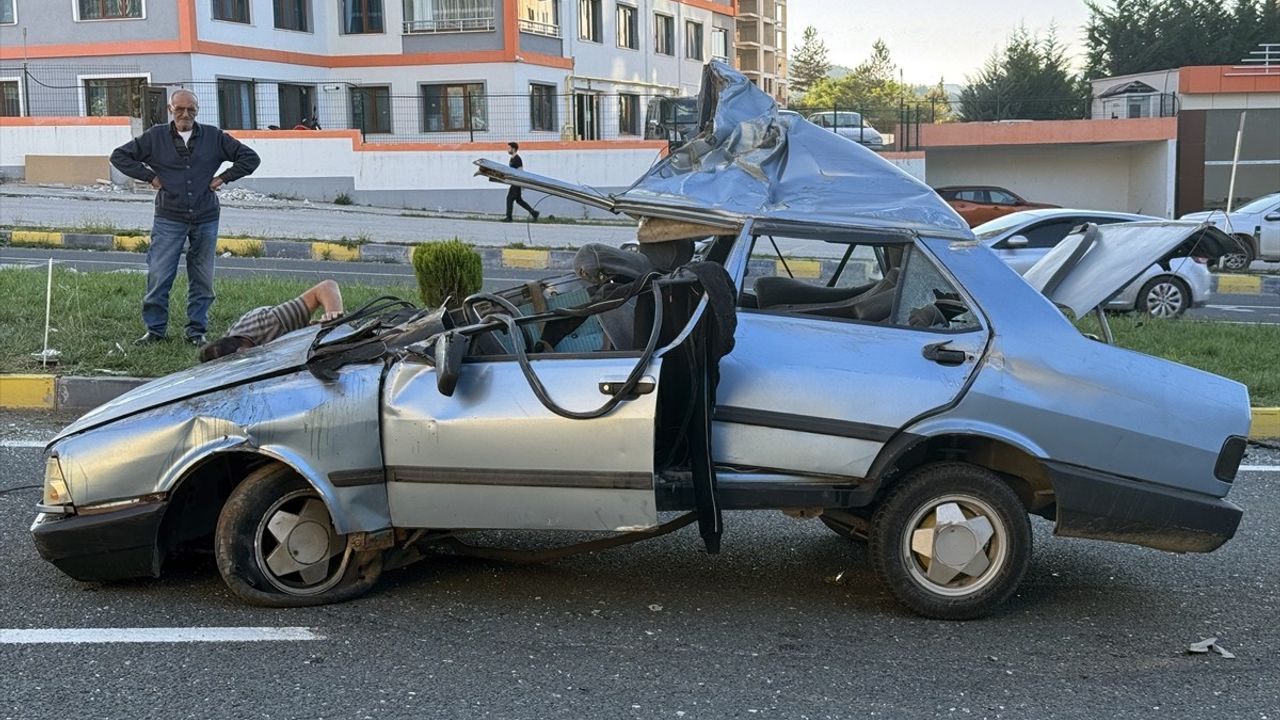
column 181, row 162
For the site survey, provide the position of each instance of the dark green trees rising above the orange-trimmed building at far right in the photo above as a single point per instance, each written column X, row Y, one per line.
column 1135, row 37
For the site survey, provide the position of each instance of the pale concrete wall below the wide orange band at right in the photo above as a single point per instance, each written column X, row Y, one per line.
column 1124, row 177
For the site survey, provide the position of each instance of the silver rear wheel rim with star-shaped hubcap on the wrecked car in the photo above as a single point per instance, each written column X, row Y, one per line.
column 956, row 545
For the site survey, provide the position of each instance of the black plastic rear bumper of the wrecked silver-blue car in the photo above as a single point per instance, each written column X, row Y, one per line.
column 1103, row 507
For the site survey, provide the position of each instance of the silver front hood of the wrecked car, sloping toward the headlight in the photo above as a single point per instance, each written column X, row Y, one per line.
column 282, row 357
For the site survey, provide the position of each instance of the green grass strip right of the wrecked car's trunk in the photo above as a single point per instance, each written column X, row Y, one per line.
column 1249, row 354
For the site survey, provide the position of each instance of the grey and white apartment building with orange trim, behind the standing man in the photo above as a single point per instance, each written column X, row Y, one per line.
column 423, row 71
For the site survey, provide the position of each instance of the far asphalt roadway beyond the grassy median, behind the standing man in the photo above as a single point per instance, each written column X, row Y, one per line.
column 1223, row 308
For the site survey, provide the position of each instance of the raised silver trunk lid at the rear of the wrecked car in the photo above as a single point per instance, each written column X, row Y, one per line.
column 1096, row 263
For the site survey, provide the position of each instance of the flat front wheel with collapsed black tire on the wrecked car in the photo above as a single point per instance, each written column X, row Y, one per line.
column 275, row 500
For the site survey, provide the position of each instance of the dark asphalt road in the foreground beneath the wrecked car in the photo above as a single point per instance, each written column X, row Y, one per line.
column 789, row 622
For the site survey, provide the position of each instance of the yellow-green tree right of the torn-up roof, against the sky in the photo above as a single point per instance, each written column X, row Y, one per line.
column 872, row 89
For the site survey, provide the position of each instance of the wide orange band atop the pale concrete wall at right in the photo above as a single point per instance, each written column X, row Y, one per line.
column 1048, row 133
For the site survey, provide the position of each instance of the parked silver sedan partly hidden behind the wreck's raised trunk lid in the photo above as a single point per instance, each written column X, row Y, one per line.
column 1022, row 239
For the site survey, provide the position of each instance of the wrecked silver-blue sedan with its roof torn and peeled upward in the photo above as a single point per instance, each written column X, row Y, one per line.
column 909, row 390
